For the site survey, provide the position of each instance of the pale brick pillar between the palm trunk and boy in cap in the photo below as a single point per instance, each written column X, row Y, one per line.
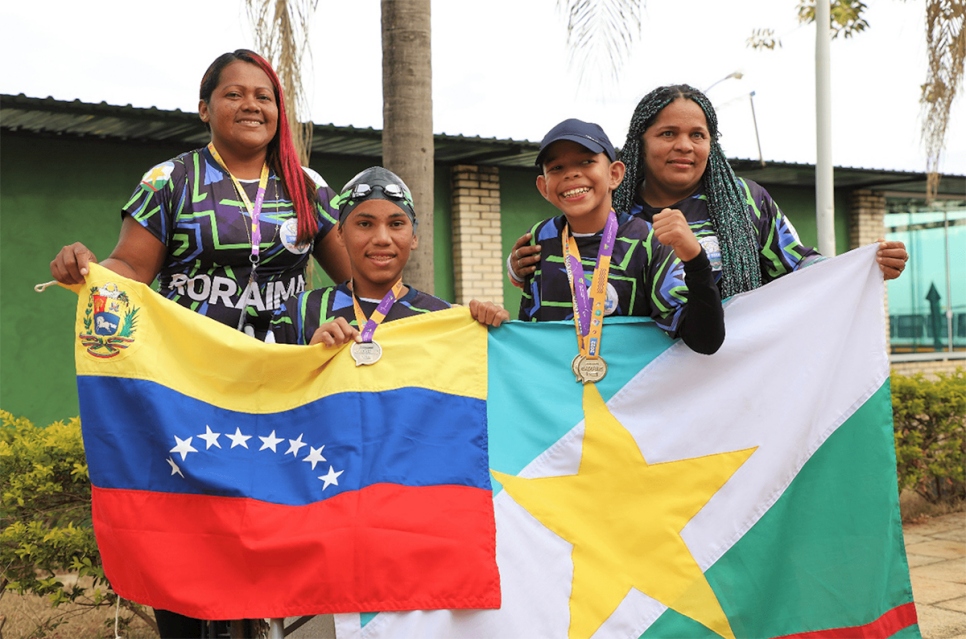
column 478, row 260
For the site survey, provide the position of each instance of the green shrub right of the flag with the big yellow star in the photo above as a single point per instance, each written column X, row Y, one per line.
column 930, row 432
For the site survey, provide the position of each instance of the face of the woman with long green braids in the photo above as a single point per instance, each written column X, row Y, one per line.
column 676, row 148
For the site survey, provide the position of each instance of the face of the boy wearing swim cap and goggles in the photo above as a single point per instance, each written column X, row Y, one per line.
column 378, row 237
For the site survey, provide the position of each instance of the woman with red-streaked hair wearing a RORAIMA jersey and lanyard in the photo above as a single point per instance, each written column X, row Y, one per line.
column 227, row 229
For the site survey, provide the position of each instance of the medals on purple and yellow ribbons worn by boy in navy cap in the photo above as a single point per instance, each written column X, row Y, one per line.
column 588, row 366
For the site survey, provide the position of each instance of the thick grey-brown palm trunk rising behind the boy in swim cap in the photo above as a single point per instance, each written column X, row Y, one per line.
column 407, row 134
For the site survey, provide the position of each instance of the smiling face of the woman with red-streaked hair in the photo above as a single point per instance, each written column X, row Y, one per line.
column 242, row 112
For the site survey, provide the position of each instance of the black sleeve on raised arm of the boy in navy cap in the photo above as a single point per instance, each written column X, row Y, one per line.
column 702, row 326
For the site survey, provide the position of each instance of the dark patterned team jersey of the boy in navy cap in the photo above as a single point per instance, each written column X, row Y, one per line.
column 645, row 279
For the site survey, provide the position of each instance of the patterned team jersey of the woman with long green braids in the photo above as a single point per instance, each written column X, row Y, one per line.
column 781, row 252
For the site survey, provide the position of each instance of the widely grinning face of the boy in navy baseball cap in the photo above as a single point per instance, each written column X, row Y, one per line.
column 579, row 182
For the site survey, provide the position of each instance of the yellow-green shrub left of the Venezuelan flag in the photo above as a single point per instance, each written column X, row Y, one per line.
column 45, row 518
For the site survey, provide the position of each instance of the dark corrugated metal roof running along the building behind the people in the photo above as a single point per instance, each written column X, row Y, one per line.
column 47, row 116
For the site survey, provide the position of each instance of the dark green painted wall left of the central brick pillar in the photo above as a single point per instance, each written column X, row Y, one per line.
column 56, row 191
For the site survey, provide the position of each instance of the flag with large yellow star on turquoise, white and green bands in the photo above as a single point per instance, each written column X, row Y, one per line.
column 751, row 493
